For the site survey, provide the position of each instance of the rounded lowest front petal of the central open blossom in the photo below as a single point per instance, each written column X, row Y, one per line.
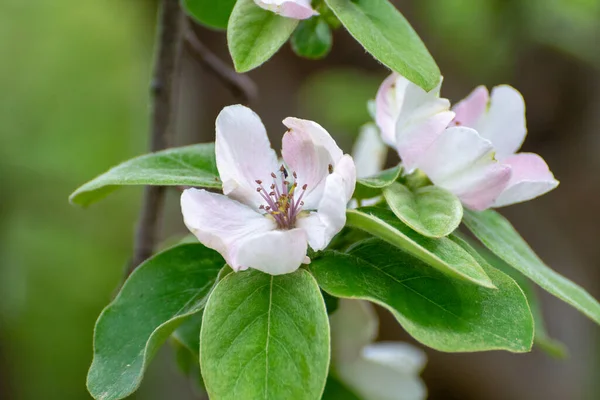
column 276, row 252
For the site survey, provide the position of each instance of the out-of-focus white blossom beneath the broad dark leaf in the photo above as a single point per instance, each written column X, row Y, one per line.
column 375, row 371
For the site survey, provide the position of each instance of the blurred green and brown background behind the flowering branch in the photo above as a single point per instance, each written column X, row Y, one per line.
column 74, row 78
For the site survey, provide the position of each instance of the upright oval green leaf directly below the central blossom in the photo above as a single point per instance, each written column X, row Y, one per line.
column 266, row 337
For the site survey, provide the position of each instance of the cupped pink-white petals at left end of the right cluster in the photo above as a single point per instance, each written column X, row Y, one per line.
column 410, row 119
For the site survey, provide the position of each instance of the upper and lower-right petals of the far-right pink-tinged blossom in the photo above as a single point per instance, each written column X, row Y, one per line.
column 500, row 118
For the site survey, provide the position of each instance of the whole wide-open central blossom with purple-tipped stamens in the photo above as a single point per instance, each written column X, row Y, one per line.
column 269, row 213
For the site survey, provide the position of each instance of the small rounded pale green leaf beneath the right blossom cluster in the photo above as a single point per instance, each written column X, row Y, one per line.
column 429, row 210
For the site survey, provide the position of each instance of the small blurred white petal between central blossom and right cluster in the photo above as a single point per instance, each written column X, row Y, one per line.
column 369, row 151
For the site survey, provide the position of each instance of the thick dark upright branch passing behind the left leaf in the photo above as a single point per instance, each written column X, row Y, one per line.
column 163, row 95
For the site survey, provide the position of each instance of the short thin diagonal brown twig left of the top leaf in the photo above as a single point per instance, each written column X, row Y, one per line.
column 241, row 86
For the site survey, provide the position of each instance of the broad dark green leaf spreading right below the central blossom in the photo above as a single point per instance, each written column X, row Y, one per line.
column 443, row 313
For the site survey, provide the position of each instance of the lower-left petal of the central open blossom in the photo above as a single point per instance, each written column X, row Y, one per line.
column 220, row 223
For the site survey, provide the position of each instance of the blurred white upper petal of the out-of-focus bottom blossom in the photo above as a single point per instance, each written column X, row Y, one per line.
column 402, row 357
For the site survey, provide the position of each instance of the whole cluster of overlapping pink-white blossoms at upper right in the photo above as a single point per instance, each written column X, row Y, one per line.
column 472, row 150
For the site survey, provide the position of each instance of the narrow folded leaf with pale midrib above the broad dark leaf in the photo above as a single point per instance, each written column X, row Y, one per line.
column 442, row 253
